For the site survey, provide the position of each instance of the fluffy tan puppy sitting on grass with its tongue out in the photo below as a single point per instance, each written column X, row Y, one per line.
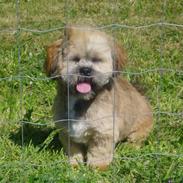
column 95, row 108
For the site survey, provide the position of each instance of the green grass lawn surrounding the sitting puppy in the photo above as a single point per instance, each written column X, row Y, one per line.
column 39, row 160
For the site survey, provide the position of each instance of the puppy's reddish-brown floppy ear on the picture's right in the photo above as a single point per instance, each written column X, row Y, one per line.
column 120, row 57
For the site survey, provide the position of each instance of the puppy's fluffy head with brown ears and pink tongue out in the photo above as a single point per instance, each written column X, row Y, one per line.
column 85, row 60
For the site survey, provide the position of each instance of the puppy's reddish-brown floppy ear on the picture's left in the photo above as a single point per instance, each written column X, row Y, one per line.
column 52, row 57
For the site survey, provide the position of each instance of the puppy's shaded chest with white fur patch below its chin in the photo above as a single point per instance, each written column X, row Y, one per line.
column 80, row 129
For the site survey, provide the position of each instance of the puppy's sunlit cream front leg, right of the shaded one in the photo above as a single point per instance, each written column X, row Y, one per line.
column 100, row 152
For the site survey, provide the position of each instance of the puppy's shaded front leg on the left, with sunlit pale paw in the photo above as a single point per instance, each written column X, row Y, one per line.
column 73, row 150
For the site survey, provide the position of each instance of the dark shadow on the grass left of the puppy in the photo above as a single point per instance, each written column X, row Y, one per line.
column 37, row 136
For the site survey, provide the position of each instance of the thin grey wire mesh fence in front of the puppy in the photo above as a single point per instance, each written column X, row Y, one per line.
column 18, row 30
